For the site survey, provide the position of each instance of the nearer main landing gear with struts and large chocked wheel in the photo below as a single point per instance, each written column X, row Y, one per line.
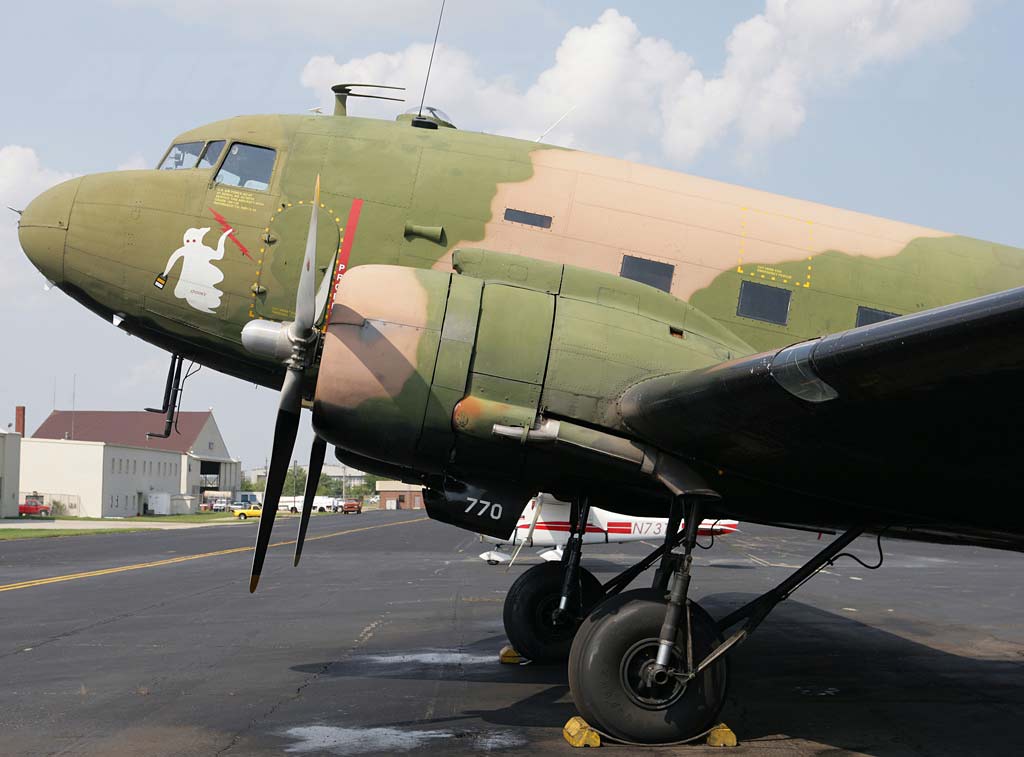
column 650, row 666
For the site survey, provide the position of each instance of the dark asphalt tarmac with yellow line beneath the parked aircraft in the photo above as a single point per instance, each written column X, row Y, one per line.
column 385, row 641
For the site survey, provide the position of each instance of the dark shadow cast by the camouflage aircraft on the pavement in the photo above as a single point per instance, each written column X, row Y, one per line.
column 807, row 675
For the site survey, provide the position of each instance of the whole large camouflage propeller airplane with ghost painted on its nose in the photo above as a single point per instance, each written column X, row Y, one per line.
column 491, row 318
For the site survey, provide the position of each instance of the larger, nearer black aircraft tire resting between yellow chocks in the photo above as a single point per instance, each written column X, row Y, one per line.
column 608, row 655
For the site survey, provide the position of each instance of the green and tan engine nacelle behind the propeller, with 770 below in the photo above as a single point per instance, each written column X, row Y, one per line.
column 505, row 375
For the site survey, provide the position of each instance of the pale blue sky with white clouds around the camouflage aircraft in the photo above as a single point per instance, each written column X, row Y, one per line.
column 917, row 116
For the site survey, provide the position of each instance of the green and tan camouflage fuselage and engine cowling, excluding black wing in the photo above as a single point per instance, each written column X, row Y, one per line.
column 537, row 322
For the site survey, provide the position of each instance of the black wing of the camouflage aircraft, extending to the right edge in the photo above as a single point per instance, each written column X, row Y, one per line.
column 915, row 422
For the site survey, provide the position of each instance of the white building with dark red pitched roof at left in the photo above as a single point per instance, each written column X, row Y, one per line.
column 102, row 465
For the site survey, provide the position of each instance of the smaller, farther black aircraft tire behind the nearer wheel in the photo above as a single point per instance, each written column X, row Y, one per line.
column 529, row 607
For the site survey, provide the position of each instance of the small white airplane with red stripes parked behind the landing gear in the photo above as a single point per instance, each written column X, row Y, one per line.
column 552, row 530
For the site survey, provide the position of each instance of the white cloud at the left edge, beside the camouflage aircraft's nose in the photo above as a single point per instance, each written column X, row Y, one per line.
column 22, row 178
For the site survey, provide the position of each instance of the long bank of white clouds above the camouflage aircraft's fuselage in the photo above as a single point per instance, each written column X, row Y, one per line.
column 638, row 96
